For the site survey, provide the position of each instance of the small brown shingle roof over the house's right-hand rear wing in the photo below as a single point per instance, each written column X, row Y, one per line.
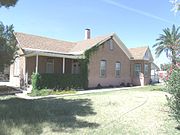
column 138, row 53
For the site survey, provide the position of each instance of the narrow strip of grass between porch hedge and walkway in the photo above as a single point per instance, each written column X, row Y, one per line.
column 46, row 92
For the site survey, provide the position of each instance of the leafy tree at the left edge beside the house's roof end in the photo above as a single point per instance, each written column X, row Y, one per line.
column 8, row 47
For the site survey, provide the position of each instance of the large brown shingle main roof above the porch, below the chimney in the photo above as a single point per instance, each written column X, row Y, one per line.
column 43, row 43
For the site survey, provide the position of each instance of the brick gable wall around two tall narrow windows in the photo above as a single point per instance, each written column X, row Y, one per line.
column 111, row 56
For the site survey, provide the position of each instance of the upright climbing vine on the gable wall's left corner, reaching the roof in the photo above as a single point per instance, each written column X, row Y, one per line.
column 84, row 64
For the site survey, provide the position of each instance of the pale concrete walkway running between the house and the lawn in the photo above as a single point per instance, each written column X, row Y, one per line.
column 83, row 92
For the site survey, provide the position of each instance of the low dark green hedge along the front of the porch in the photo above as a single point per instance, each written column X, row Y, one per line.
column 57, row 81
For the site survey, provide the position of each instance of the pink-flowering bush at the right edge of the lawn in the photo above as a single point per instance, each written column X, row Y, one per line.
column 173, row 87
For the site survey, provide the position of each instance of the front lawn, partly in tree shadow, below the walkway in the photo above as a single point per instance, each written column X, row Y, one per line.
column 141, row 111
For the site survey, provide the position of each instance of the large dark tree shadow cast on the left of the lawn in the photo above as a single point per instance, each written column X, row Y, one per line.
column 29, row 115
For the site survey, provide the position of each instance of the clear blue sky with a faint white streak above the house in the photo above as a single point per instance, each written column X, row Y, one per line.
column 136, row 22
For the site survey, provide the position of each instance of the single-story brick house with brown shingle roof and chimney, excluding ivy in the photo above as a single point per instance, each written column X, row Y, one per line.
column 111, row 64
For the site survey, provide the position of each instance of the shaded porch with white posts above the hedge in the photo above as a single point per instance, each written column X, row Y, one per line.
column 50, row 65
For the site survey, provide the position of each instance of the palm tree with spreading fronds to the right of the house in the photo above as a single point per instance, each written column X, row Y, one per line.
column 169, row 42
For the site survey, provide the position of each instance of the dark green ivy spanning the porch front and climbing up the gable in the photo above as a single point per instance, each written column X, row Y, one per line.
column 65, row 81
